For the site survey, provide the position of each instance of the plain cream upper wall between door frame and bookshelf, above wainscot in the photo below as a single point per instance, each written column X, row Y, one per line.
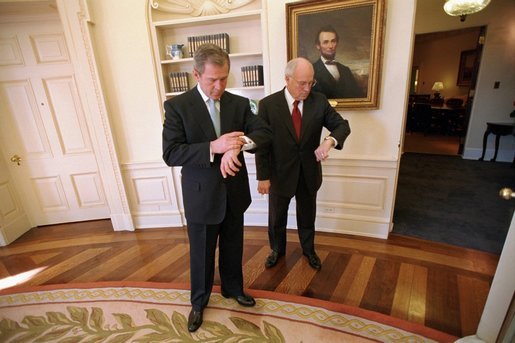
column 124, row 57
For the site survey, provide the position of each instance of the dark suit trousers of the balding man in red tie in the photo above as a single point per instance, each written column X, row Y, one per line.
column 278, row 218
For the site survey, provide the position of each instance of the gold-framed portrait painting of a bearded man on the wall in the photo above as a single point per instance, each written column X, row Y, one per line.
column 359, row 26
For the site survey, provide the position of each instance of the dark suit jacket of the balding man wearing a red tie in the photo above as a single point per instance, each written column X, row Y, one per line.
column 282, row 160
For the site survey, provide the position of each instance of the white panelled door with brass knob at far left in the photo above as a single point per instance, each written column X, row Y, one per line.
column 43, row 131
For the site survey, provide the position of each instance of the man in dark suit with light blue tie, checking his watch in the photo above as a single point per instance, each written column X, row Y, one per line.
column 214, row 181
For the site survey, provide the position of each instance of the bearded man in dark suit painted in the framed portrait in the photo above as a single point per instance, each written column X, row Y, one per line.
column 334, row 79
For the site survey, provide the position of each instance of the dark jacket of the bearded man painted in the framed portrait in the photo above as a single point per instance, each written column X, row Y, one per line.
column 345, row 87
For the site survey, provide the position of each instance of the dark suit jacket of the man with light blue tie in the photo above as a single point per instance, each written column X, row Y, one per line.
column 187, row 131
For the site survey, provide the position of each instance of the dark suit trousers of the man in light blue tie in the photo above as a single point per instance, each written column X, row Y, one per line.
column 203, row 240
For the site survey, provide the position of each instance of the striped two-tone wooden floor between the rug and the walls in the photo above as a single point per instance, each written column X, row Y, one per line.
column 436, row 285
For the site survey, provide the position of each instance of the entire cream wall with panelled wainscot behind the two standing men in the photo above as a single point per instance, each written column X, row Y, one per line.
column 358, row 193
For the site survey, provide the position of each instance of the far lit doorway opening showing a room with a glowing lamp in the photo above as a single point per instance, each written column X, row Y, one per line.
column 444, row 72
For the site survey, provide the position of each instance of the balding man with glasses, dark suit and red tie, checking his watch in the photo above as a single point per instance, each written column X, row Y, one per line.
column 291, row 166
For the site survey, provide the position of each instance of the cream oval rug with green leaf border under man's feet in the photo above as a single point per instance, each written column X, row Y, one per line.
column 157, row 312
